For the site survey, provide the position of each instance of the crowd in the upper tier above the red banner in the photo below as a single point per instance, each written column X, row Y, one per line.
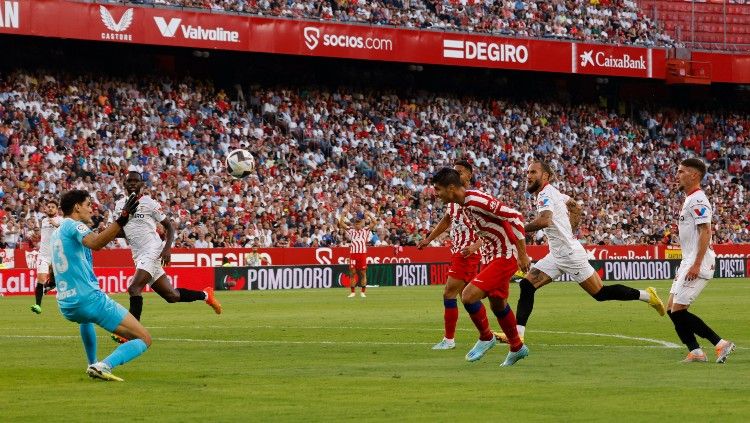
column 611, row 21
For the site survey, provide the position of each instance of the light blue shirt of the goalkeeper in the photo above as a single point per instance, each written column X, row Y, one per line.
column 72, row 264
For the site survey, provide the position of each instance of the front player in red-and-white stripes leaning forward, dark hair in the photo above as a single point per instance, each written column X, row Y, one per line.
column 503, row 252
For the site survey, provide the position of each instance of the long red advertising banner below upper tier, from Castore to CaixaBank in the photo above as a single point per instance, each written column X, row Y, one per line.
column 213, row 30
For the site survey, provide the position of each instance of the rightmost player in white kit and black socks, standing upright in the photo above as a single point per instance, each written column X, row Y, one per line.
column 696, row 267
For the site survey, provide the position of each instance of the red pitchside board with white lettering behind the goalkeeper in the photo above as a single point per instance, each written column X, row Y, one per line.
column 111, row 279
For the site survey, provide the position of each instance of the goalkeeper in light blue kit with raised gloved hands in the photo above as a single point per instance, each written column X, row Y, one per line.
column 78, row 294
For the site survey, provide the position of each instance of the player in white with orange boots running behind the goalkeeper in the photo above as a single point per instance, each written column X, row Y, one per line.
column 150, row 253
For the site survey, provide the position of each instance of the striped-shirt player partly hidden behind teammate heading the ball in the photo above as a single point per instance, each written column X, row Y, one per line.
column 465, row 257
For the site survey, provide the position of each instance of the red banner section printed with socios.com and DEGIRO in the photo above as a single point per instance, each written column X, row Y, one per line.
column 404, row 45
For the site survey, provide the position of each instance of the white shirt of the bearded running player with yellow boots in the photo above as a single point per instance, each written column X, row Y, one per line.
column 562, row 243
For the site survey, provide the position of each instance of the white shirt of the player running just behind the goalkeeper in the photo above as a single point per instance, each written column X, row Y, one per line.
column 140, row 231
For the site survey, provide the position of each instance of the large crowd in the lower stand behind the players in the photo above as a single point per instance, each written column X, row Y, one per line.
column 323, row 152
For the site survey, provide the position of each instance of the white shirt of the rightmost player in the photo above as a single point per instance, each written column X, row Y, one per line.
column 696, row 210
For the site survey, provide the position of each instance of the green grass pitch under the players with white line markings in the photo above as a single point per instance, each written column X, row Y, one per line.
column 319, row 356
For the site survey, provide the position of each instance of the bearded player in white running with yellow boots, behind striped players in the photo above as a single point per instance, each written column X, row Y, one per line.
column 566, row 254
